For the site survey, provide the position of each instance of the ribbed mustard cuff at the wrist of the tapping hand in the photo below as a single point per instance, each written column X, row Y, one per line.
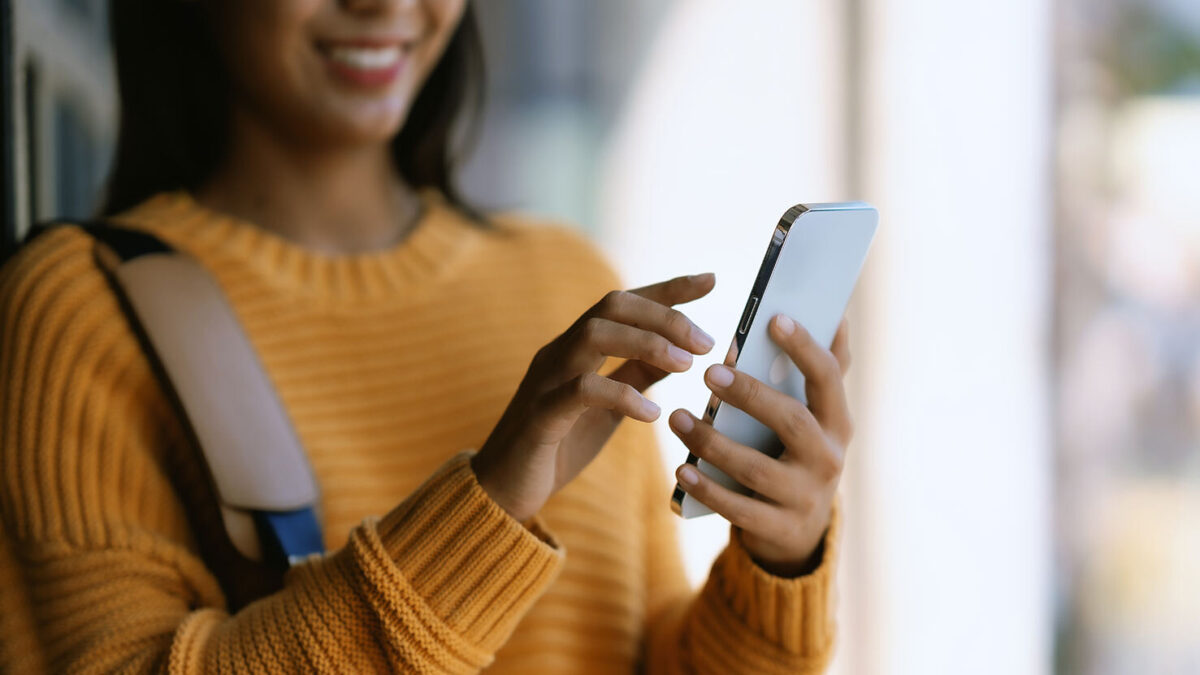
column 478, row 569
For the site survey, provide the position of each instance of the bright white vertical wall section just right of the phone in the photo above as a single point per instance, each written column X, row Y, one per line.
column 956, row 425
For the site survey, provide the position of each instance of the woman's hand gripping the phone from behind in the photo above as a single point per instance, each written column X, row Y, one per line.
column 785, row 521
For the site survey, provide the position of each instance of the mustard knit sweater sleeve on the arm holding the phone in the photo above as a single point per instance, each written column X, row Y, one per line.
column 745, row 619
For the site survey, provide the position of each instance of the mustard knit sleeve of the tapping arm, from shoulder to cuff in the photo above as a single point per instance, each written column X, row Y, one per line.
column 104, row 553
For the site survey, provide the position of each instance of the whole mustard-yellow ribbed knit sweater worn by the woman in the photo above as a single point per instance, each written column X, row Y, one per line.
column 393, row 367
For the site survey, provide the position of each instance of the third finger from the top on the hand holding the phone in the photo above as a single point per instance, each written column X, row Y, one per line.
column 751, row 468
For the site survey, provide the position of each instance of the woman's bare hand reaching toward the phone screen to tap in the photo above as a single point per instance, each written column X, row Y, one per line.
column 565, row 411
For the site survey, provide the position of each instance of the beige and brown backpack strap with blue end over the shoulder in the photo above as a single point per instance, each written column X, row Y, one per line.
column 262, row 476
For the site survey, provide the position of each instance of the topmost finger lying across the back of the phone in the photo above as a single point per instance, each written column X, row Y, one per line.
column 823, row 375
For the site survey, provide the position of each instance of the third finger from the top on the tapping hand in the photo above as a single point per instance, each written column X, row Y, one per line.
column 601, row 338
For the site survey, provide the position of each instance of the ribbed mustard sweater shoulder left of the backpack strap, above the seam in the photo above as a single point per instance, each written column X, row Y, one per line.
column 79, row 398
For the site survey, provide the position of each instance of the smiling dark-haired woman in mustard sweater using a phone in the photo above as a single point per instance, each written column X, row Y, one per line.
column 302, row 152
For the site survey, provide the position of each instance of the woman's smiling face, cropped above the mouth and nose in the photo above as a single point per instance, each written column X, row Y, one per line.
column 332, row 71
